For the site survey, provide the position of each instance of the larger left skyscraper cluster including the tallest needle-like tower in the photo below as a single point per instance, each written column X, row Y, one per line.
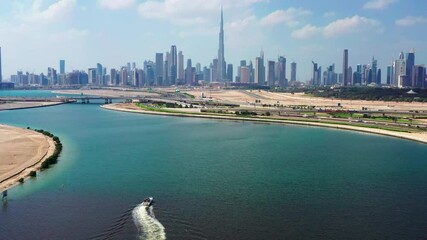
column 167, row 69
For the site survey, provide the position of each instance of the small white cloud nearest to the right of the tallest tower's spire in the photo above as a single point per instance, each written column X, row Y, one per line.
column 289, row 17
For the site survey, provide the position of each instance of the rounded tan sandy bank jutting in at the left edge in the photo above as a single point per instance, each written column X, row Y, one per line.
column 21, row 151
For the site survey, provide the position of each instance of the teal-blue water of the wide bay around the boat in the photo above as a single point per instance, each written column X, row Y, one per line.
column 214, row 179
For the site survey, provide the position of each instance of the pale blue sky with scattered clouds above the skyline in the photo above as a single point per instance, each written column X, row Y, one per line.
column 36, row 34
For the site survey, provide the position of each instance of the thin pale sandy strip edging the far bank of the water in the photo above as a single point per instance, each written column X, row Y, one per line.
column 417, row 137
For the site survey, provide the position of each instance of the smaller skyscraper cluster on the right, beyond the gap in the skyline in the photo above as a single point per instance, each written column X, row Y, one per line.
column 402, row 73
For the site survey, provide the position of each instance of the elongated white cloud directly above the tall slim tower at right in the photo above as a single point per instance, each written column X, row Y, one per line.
column 351, row 25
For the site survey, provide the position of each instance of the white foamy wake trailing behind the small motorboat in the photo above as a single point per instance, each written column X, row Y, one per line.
column 149, row 227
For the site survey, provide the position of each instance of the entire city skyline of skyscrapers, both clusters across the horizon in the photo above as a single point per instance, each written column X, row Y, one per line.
column 168, row 69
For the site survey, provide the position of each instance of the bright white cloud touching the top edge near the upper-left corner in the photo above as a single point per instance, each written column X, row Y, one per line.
column 57, row 11
